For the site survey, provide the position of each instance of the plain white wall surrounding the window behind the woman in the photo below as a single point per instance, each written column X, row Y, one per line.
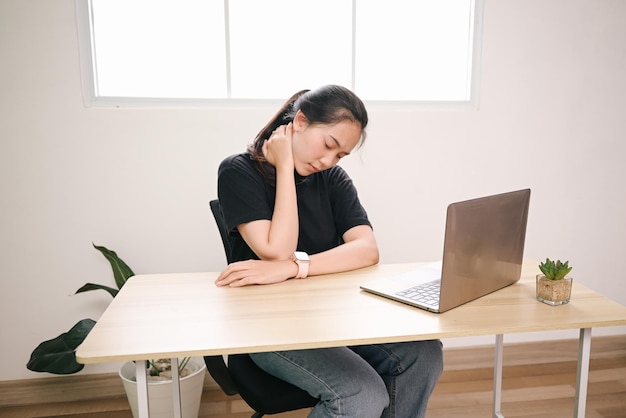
column 552, row 117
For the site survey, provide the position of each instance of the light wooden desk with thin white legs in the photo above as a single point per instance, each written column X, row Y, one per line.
column 178, row 315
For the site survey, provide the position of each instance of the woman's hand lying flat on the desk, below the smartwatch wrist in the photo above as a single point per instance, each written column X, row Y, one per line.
column 243, row 273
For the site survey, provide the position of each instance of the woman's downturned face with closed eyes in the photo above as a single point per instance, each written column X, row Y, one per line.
column 319, row 147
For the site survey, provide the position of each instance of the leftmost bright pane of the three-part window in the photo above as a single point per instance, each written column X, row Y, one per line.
column 159, row 48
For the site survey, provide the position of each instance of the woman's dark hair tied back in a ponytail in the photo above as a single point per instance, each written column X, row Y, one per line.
column 326, row 105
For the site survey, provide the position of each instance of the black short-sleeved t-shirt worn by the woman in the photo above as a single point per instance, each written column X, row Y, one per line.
column 328, row 205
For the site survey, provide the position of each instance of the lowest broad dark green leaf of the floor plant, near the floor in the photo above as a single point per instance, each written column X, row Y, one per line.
column 58, row 355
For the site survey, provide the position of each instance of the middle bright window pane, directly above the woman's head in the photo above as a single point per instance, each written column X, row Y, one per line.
column 281, row 46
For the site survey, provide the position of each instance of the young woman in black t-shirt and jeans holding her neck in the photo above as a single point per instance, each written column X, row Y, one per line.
column 285, row 201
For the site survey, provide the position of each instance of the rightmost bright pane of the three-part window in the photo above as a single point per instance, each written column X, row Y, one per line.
column 413, row 49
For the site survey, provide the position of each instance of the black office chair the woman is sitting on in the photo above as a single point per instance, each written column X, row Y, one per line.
column 263, row 392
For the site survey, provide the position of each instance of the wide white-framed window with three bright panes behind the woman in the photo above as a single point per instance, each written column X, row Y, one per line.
column 203, row 51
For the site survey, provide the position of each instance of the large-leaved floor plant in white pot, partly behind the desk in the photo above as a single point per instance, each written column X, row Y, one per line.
column 58, row 356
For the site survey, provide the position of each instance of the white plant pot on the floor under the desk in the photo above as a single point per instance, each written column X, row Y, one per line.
column 160, row 398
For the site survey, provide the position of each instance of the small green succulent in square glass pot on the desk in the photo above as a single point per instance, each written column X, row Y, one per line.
column 554, row 286
